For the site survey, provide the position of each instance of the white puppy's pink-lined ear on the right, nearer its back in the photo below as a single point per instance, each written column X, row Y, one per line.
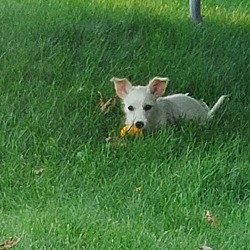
column 157, row 86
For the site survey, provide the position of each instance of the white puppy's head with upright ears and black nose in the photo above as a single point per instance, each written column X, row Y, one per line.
column 139, row 101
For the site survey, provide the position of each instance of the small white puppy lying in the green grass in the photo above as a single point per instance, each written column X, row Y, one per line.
column 145, row 107
